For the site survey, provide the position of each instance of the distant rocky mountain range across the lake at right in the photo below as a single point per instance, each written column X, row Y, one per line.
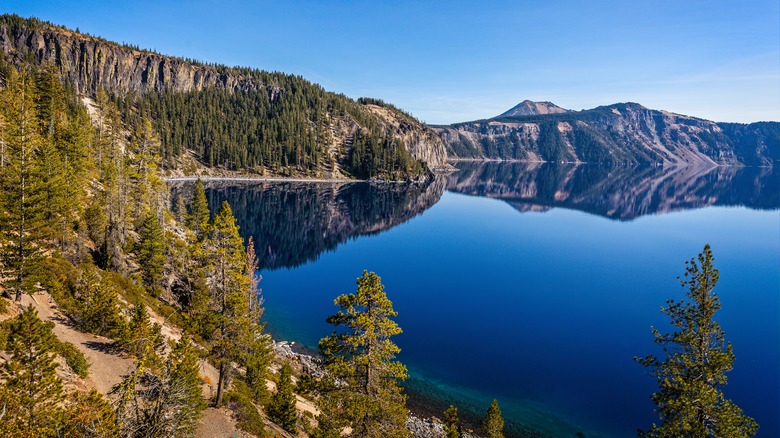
column 625, row 133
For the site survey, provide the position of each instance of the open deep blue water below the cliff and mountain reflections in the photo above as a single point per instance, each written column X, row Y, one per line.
column 544, row 310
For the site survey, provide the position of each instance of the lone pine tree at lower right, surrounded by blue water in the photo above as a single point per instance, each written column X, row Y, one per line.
column 690, row 401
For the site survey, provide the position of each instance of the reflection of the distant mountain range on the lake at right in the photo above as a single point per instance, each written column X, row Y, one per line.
column 617, row 192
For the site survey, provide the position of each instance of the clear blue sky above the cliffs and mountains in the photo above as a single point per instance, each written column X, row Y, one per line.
column 448, row 61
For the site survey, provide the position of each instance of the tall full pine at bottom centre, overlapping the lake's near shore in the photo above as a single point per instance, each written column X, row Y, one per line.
column 361, row 356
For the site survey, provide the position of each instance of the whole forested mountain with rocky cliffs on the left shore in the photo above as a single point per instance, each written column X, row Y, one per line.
column 231, row 118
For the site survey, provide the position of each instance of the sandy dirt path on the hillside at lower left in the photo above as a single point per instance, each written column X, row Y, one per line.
column 106, row 366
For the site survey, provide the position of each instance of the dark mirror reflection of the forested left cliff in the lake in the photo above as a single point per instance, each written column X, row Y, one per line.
column 293, row 223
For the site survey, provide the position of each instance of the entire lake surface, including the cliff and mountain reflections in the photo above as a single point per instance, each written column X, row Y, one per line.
column 532, row 284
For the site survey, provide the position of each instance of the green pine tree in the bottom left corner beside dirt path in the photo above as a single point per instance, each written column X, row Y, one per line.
column 32, row 393
